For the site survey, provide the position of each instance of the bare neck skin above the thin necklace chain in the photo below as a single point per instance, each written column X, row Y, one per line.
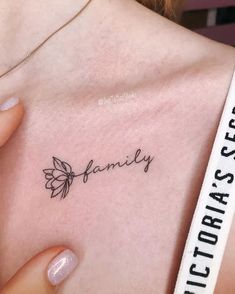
column 25, row 24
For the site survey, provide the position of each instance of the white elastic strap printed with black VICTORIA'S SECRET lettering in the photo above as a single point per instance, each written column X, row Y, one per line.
column 214, row 212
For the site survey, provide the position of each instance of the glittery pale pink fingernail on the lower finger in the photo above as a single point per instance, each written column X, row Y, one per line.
column 61, row 267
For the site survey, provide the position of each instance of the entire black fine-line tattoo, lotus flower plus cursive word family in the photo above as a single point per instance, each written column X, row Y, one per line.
column 60, row 178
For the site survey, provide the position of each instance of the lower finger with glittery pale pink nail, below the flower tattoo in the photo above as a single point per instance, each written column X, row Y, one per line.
column 43, row 272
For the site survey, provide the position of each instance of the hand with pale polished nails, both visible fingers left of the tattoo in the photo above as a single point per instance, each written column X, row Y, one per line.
column 44, row 272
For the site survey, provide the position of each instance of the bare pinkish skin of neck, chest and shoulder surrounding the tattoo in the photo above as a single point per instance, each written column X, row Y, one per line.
column 127, row 227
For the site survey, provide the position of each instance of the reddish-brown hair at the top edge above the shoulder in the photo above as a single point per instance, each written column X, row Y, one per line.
column 166, row 8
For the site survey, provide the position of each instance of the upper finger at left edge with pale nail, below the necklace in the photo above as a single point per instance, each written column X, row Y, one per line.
column 11, row 114
